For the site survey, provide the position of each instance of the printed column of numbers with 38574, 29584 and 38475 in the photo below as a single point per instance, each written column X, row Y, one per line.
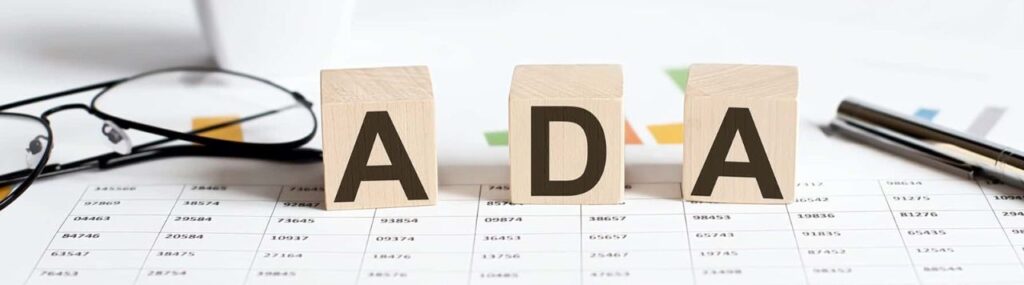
column 211, row 236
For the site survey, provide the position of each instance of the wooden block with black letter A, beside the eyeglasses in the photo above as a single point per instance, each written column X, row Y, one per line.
column 379, row 146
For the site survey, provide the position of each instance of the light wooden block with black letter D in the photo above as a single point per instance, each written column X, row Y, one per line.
column 566, row 135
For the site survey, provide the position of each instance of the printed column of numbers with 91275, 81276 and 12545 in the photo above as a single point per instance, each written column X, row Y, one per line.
column 951, row 232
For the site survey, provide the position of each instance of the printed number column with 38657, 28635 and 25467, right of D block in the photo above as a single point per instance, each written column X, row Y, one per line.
column 641, row 240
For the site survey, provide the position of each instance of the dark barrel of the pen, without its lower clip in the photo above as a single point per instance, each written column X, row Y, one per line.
column 926, row 132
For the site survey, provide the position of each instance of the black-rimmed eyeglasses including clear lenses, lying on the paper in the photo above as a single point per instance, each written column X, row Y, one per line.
column 266, row 120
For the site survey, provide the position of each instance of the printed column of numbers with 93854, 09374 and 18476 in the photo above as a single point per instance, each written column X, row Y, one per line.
column 430, row 245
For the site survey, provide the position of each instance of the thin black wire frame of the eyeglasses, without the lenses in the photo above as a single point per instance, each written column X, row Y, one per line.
column 208, row 147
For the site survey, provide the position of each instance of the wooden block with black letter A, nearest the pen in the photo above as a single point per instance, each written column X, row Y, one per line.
column 741, row 136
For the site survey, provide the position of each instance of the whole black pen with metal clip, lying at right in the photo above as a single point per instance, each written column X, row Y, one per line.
column 930, row 144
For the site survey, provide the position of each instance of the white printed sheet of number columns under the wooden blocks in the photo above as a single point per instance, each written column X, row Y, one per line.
column 850, row 232
